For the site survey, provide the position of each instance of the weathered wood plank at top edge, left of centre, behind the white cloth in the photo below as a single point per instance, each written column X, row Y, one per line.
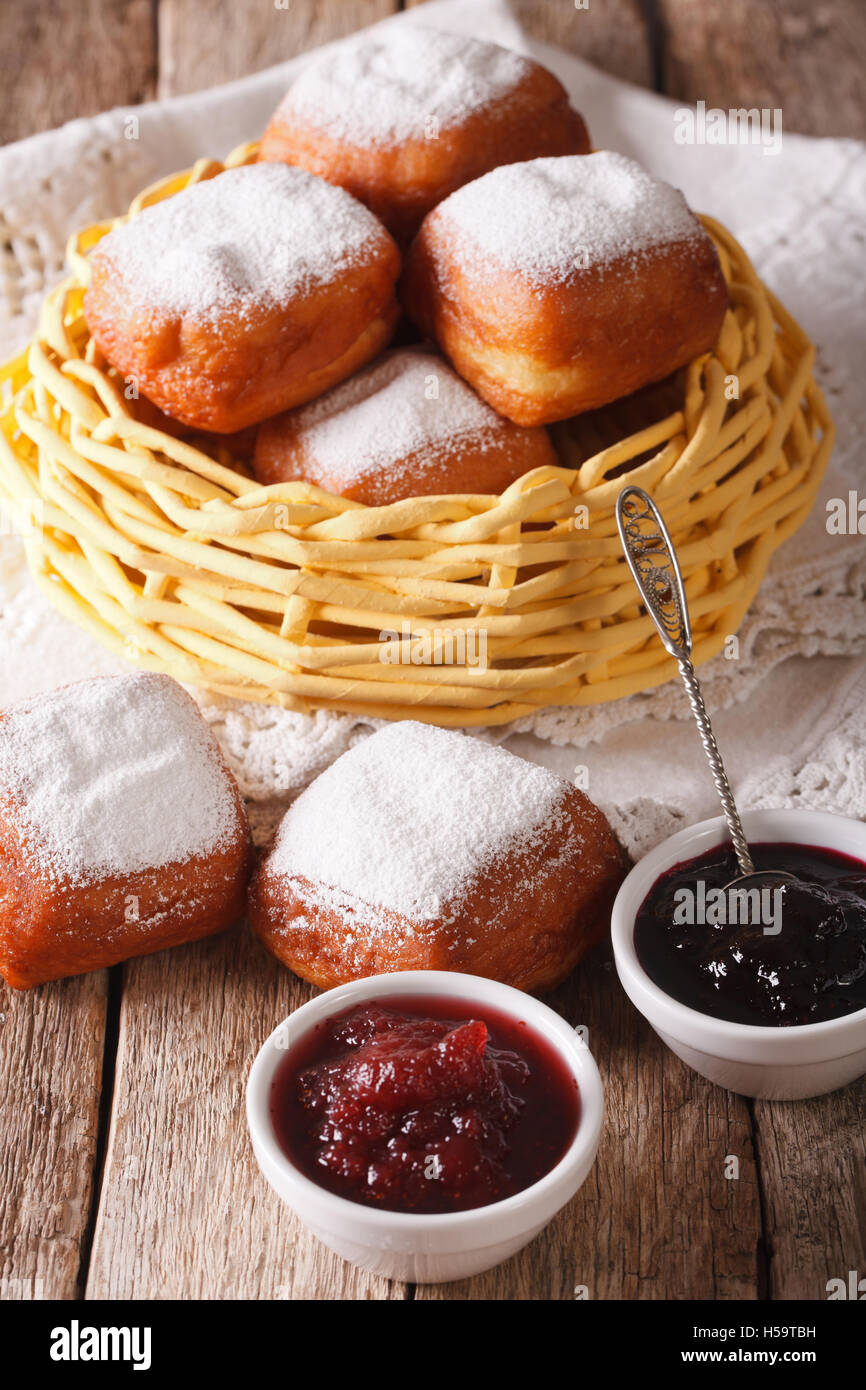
column 204, row 42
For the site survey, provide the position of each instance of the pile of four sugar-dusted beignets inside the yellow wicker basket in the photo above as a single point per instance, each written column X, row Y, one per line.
column 551, row 280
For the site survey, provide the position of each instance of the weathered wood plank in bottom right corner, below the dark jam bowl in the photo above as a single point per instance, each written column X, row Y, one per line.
column 812, row 1160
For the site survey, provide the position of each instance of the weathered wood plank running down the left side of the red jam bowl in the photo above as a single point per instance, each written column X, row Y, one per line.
column 184, row 1211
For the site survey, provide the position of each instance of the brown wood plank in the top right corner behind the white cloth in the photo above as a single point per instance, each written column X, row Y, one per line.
column 803, row 58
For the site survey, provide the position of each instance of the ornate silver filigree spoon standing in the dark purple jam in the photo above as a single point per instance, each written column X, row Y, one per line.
column 657, row 573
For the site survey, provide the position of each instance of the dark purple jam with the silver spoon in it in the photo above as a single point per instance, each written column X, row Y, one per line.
column 794, row 956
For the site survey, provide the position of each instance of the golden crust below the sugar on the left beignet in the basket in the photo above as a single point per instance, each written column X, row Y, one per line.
column 231, row 375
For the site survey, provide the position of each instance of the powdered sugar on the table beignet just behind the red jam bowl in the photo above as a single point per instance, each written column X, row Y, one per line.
column 408, row 819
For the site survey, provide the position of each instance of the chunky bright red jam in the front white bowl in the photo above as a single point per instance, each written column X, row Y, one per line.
column 425, row 1106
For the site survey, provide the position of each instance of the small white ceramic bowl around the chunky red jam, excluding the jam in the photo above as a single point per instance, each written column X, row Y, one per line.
column 418, row 1248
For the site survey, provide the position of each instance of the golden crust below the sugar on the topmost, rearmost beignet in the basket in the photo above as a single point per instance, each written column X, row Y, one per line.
column 402, row 183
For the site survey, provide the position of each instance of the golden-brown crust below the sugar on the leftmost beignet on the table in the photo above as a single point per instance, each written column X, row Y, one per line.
column 52, row 929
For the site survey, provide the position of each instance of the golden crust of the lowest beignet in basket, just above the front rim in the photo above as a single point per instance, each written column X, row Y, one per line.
column 283, row 455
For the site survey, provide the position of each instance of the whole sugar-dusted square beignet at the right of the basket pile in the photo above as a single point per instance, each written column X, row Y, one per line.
column 564, row 284
